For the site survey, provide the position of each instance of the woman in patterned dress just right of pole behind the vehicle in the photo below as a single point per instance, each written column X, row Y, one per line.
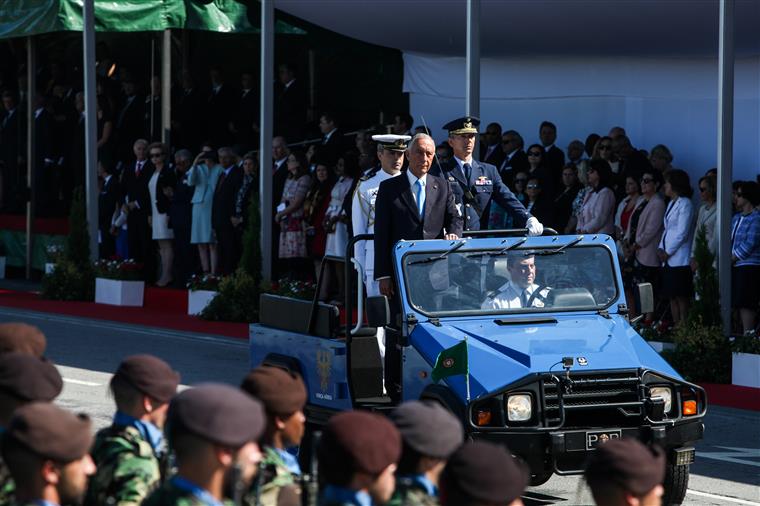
column 290, row 214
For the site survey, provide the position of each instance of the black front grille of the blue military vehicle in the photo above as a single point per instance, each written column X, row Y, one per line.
column 593, row 400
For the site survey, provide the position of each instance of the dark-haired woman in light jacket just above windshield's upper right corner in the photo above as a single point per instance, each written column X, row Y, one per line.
column 597, row 212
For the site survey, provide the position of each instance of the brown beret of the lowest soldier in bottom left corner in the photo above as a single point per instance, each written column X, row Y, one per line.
column 51, row 432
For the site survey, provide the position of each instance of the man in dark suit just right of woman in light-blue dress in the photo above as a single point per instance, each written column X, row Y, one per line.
column 223, row 209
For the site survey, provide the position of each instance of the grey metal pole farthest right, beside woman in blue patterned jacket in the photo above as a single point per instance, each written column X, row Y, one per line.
column 725, row 155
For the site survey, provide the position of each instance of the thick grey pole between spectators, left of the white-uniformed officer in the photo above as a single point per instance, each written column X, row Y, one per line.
column 265, row 140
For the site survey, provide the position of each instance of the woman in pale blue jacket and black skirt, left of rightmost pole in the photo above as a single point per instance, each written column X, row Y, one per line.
column 675, row 246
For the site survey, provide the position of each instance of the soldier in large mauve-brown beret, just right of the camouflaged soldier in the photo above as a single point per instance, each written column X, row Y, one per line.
column 213, row 429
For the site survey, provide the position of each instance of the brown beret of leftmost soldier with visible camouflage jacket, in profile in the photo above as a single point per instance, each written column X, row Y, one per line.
column 150, row 375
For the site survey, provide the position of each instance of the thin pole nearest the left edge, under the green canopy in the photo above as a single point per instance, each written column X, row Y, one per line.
column 31, row 86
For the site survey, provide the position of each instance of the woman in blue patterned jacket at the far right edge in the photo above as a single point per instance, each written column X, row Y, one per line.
column 745, row 254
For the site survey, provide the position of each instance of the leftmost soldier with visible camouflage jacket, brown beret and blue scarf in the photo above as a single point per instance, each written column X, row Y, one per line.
column 130, row 454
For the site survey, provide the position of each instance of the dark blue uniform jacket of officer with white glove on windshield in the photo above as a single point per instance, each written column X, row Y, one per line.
column 485, row 184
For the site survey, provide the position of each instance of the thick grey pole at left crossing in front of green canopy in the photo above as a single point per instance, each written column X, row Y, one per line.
column 90, row 126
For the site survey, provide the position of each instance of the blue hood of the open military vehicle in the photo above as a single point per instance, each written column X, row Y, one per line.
column 502, row 354
